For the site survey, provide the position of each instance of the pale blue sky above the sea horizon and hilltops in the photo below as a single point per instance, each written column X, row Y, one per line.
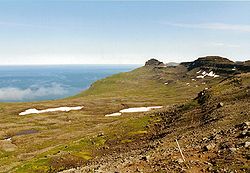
column 112, row 32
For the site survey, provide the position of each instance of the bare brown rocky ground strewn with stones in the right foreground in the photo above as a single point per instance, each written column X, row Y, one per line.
column 213, row 131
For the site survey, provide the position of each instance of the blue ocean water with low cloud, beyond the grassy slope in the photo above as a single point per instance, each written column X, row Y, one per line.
column 34, row 83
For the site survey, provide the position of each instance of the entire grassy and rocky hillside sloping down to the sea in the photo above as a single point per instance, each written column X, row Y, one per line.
column 205, row 106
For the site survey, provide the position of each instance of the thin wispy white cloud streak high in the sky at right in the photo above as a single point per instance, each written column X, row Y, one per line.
column 213, row 26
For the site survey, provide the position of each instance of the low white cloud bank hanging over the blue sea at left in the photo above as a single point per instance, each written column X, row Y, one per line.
column 12, row 93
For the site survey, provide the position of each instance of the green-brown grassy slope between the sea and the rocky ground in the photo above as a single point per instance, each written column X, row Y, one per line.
column 78, row 130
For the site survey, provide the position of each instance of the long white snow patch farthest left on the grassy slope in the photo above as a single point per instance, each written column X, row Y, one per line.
column 64, row 109
